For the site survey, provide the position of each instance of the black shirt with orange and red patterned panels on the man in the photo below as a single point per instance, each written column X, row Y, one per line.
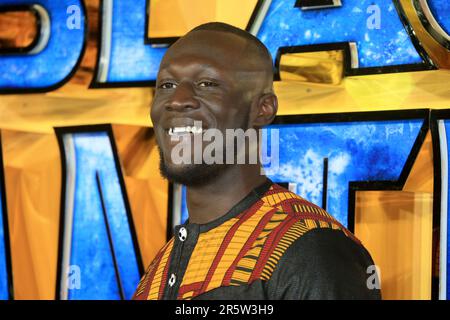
column 271, row 245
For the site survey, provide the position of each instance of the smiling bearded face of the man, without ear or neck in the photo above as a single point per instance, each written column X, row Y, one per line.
column 201, row 78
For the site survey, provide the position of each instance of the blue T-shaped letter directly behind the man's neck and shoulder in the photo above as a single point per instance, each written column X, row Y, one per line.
column 360, row 151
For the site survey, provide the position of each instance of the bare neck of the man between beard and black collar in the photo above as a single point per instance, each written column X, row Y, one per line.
column 211, row 201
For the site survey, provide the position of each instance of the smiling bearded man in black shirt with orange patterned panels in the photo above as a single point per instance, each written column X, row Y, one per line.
column 246, row 238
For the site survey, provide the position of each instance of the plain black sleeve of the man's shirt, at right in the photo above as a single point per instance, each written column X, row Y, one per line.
column 323, row 264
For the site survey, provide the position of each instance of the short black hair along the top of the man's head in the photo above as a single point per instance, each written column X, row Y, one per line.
column 228, row 28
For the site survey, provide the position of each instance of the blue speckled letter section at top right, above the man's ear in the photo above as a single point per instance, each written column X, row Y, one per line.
column 386, row 46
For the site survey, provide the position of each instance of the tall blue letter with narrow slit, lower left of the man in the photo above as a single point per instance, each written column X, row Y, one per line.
column 90, row 246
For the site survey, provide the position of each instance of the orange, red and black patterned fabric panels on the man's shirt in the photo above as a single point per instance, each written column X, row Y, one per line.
column 243, row 249
